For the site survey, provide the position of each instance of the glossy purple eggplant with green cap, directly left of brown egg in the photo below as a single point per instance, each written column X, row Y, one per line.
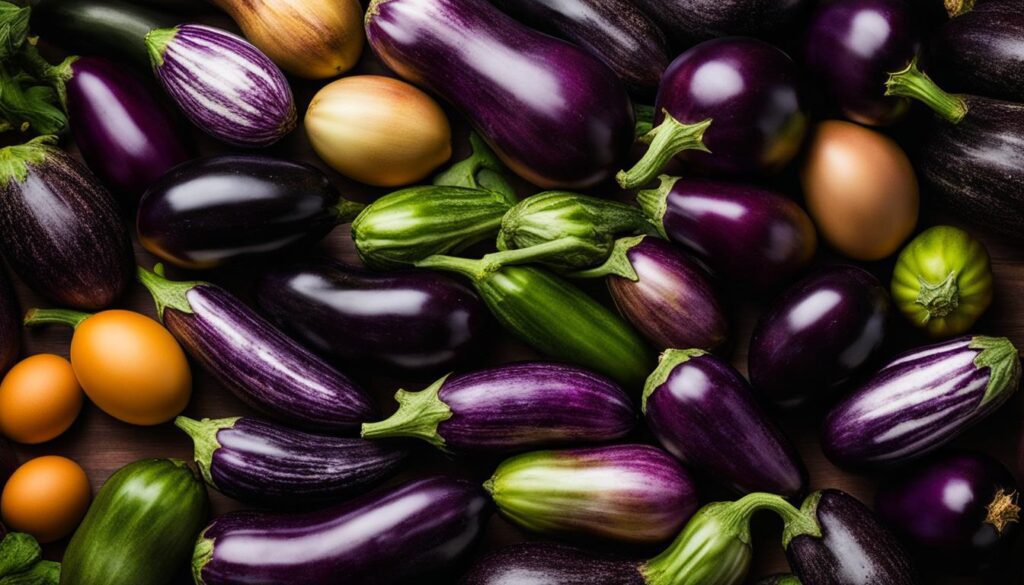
column 750, row 236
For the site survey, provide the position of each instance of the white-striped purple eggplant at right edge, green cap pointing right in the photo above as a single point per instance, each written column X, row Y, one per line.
column 921, row 401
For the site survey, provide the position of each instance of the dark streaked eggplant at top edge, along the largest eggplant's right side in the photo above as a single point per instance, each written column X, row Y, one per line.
column 614, row 31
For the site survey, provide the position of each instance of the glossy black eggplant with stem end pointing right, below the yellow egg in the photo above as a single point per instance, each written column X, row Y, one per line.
column 216, row 211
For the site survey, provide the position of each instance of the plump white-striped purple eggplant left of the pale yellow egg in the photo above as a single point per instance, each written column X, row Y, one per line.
column 224, row 85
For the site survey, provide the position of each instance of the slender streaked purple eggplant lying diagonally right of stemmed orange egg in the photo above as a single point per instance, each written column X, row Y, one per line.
column 254, row 360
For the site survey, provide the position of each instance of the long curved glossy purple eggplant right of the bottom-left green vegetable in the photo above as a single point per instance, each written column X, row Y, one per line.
column 400, row 535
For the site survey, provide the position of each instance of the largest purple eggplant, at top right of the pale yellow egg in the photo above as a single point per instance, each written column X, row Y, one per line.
column 556, row 115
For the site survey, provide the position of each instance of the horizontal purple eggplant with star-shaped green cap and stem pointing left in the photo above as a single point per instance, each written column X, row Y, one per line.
column 510, row 408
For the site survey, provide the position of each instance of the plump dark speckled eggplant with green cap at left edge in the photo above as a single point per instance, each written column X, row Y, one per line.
column 60, row 229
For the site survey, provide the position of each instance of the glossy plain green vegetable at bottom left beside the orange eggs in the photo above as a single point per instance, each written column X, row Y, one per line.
column 141, row 527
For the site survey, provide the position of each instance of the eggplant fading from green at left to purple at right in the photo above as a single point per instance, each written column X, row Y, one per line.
column 626, row 493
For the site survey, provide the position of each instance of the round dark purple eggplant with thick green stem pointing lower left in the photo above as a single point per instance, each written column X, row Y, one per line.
column 728, row 106
